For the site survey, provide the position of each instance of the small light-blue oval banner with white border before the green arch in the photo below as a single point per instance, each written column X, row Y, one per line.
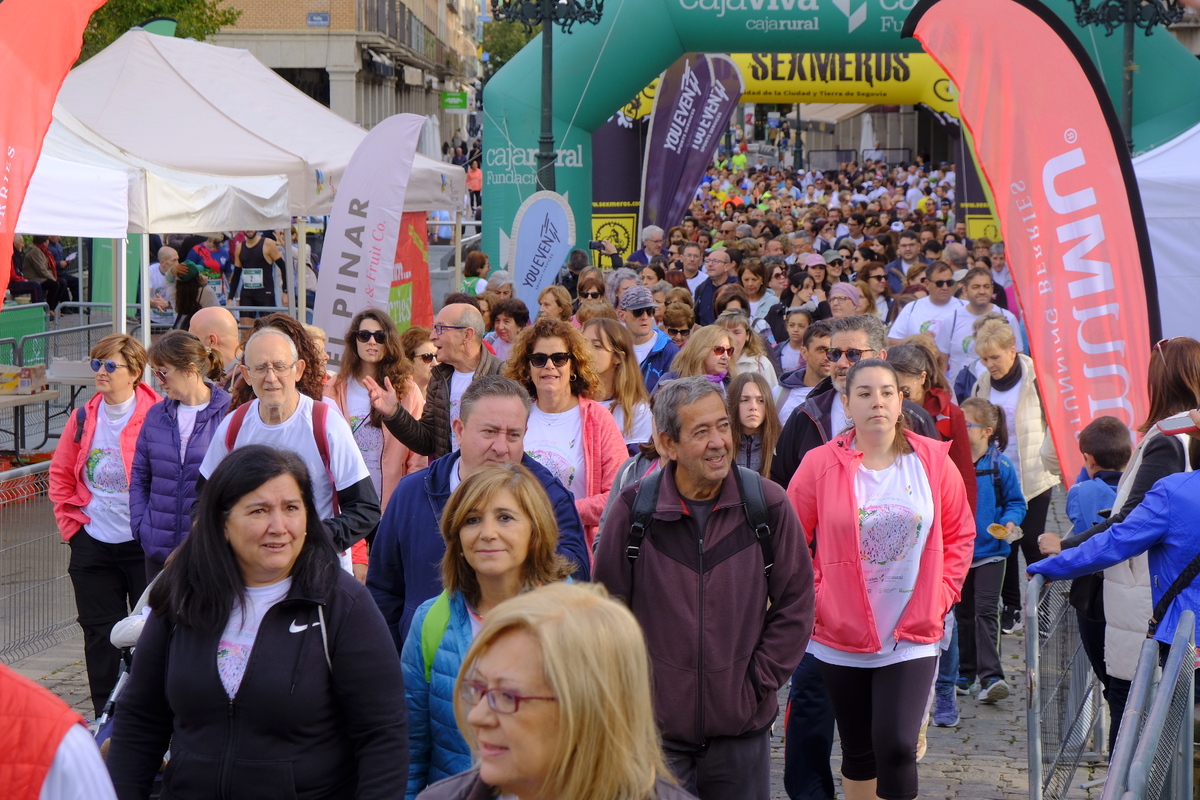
column 543, row 234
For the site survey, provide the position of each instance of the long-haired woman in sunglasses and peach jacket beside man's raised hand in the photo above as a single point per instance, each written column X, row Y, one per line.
column 374, row 350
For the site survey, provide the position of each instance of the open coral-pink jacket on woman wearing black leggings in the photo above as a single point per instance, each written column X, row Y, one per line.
column 824, row 495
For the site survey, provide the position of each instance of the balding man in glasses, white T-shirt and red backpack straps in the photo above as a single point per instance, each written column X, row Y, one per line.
column 283, row 418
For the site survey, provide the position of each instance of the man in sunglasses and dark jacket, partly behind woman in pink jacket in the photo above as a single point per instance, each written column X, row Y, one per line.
column 811, row 721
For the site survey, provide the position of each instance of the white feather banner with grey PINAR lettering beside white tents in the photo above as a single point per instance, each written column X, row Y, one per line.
column 359, row 260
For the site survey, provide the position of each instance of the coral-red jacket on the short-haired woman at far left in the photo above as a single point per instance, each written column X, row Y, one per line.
column 69, row 492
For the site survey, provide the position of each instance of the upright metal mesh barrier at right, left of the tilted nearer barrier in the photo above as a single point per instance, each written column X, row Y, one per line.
column 1065, row 706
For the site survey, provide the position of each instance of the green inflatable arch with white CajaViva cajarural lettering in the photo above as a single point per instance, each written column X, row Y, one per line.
column 598, row 69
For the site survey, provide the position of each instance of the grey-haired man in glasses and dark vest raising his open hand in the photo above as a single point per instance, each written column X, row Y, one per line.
column 459, row 336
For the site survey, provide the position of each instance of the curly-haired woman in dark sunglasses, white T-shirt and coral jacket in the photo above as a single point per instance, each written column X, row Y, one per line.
column 572, row 435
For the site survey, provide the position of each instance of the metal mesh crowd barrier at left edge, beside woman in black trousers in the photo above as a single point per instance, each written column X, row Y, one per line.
column 37, row 601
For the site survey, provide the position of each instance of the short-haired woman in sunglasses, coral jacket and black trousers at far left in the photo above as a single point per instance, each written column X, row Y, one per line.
column 89, row 486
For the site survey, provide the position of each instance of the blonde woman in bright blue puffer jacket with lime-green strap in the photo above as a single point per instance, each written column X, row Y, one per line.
column 501, row 534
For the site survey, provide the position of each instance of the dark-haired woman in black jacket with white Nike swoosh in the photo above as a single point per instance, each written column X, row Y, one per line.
column 267, row 670
